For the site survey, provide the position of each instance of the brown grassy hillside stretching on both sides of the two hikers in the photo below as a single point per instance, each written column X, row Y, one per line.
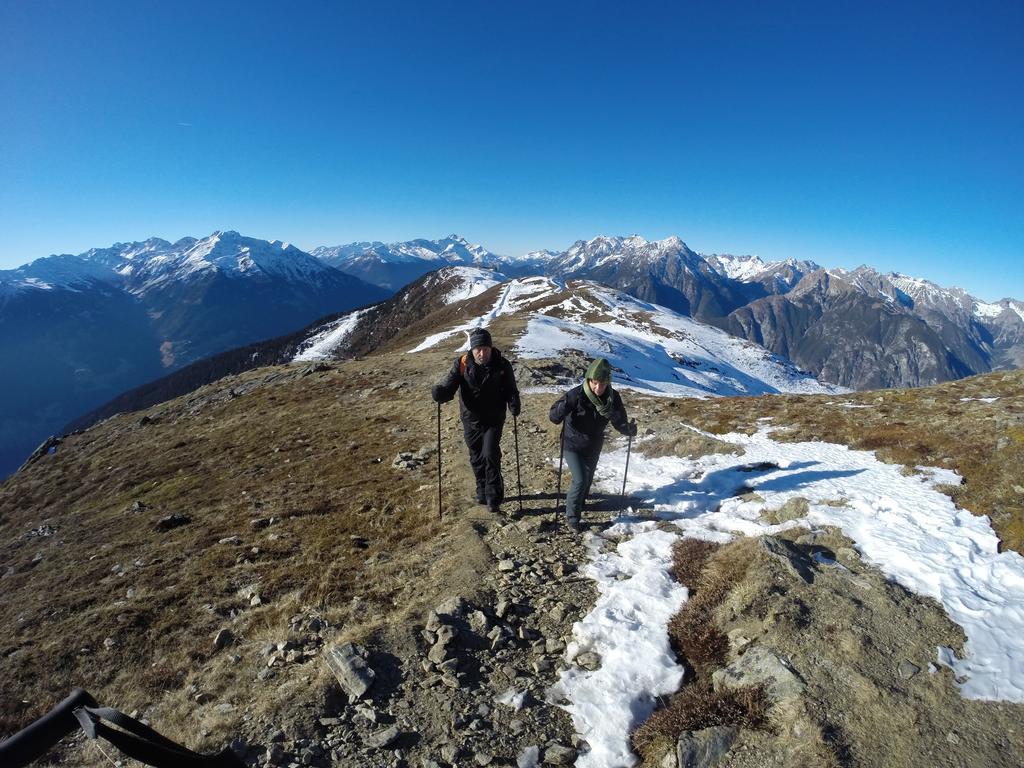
column 268, row 503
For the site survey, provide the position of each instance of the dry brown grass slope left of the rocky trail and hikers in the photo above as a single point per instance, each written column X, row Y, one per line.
column 310, row 452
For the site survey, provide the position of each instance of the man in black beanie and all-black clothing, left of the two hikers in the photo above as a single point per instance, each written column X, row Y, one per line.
column 487, row 386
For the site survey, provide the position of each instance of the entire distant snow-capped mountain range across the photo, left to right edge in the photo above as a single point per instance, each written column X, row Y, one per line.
column 79, row 330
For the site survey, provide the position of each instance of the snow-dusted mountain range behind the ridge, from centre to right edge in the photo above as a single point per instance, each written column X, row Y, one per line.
column 859, row 329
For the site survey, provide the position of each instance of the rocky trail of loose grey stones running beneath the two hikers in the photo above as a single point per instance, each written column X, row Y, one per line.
column 471, row 688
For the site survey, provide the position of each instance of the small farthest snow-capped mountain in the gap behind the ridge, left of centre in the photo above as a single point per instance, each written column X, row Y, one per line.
column 397, row 265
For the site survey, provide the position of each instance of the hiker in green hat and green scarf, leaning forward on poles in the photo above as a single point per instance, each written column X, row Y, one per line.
column 587, row 409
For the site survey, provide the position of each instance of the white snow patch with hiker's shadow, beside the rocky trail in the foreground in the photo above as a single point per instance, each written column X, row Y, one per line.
column 902, row 525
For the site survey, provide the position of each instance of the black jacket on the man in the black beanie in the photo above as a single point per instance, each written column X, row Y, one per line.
column 485, row 391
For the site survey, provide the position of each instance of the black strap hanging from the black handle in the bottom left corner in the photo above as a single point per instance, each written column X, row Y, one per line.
column 144, row 744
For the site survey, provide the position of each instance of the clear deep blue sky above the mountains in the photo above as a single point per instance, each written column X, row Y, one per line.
column 883, row 134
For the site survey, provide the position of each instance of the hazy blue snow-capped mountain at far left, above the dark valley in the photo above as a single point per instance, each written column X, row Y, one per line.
column 79, row 330
